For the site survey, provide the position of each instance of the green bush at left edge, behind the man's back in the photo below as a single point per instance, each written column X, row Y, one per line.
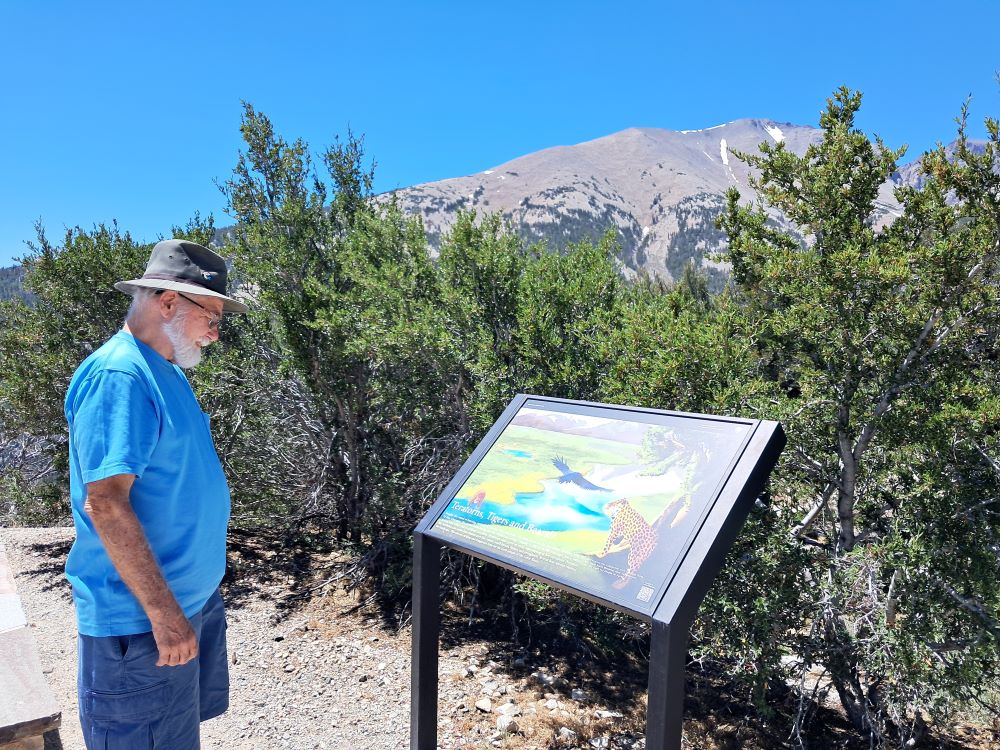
column 75, row 311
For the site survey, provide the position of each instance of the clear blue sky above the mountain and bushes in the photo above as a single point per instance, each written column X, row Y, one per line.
column 130, row 110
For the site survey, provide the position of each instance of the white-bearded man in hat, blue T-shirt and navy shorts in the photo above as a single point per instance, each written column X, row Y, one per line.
column 150, row 506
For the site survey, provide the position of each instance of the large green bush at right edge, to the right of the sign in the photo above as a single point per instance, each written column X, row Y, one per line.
column 887, row 339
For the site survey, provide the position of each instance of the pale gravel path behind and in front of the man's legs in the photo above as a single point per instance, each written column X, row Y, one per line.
column 305, row 682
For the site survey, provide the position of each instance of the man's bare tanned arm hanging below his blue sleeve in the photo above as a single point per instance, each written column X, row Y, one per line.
column 111, row 511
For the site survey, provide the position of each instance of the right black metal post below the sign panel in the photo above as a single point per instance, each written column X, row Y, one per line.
column 665, row 702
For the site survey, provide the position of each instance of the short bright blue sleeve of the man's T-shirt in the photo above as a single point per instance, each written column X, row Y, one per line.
column 114, row 427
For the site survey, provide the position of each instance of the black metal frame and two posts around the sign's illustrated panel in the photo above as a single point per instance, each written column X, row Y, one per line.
column 670, row 612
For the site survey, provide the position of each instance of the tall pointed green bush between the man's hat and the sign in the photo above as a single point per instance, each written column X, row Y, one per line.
column 354, row 297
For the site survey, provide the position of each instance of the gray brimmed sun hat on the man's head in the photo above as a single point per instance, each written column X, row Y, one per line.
column 182, row 266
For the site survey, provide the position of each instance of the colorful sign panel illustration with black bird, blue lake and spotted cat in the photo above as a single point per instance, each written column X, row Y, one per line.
column 604, row 505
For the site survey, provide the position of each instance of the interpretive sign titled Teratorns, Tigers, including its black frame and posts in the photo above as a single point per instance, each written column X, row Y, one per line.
column 629, row 507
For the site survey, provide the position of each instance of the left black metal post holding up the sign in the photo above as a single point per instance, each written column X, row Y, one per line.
column 424, row 656
